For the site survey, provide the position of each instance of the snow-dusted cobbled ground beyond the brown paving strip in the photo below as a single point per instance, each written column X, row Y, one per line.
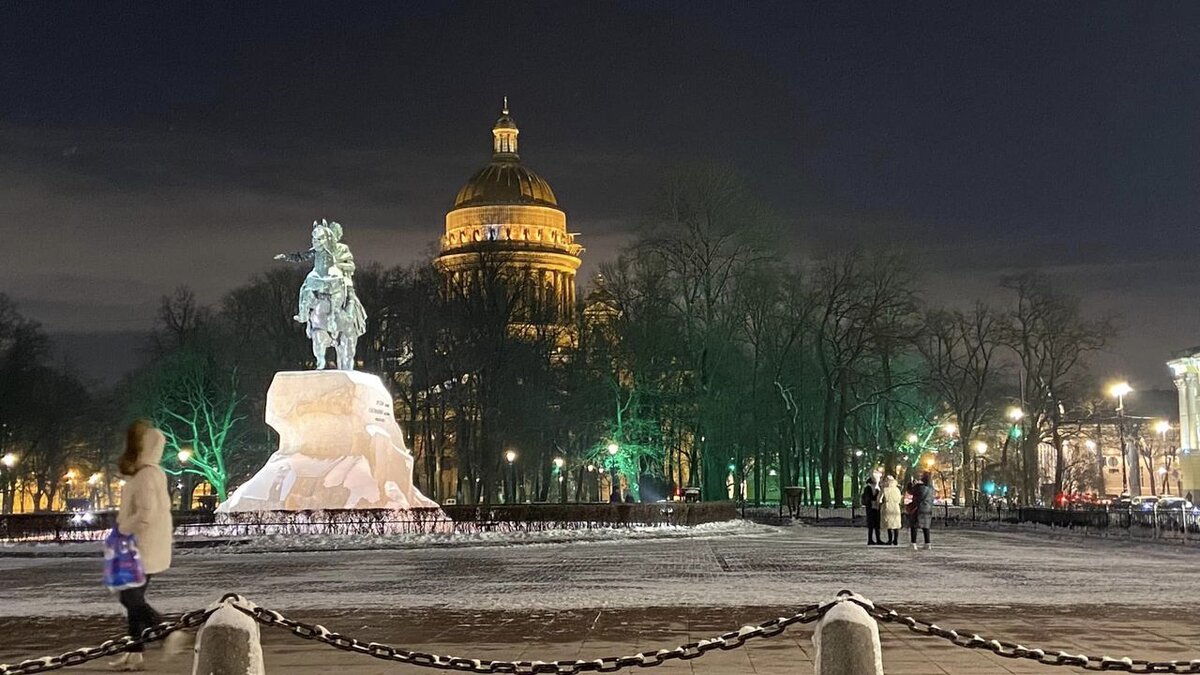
column 741, row 566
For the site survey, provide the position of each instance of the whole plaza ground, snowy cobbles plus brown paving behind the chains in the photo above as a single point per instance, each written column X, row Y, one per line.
column 573, row 599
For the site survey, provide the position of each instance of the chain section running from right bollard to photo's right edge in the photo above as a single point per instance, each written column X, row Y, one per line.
column 1015, row 650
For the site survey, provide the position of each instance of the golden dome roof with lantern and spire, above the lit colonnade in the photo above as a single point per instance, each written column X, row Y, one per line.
column 506, row 181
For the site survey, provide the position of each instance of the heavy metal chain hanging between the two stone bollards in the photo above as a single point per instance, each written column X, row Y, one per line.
column 730, row 641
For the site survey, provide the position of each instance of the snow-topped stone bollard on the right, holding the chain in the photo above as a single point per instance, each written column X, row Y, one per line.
column 848, row 642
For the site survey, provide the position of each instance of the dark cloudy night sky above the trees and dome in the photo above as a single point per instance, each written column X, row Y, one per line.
column 146, row 146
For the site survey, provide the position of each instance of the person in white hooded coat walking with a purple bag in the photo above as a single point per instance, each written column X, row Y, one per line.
column 146, row 513
